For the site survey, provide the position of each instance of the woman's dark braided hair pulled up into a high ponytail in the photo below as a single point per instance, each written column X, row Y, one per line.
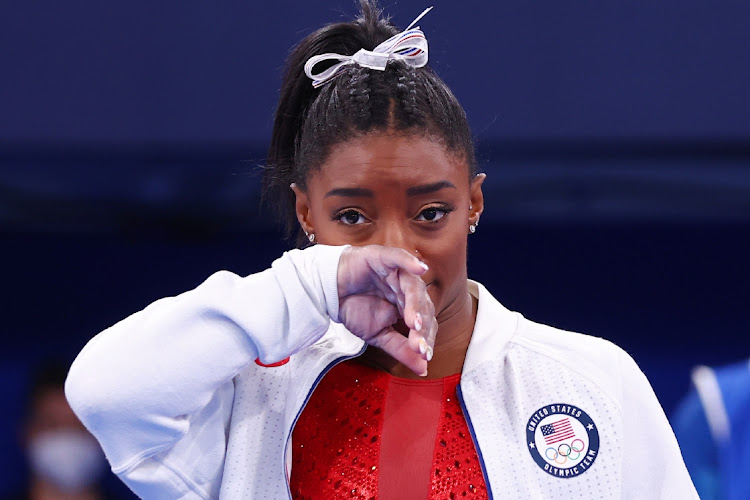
column 309, row 121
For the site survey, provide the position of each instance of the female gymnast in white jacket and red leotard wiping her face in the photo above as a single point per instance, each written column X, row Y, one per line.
column 367, row 365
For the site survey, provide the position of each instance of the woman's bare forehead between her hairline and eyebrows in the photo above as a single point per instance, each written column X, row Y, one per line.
column 390, row 158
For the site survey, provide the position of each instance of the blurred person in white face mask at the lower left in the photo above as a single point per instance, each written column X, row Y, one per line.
column 65, row 462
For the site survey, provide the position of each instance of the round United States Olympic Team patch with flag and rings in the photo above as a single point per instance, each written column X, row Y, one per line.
column 563, row 440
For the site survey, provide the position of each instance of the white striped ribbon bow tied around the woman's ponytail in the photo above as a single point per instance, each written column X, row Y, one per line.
column 409, row 46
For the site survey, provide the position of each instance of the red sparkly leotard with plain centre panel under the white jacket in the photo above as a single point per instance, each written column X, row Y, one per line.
column 367, row 434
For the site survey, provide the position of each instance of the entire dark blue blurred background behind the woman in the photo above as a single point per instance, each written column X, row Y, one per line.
column 615, row 136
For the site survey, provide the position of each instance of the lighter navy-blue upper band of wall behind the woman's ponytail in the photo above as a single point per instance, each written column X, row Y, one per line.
column 209, row 71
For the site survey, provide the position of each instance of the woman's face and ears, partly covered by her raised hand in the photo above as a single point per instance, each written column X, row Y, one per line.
column 400, row 191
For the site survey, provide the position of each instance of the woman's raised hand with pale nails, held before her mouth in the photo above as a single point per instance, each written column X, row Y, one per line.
column 377, row 286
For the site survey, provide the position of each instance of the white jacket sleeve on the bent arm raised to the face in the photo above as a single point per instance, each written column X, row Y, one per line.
column 162, row 378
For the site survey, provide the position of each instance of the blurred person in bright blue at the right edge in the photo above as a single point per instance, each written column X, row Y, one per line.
column 711, row 425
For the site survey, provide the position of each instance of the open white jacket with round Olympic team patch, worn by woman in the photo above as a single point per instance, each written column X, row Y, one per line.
column 182, row 410
